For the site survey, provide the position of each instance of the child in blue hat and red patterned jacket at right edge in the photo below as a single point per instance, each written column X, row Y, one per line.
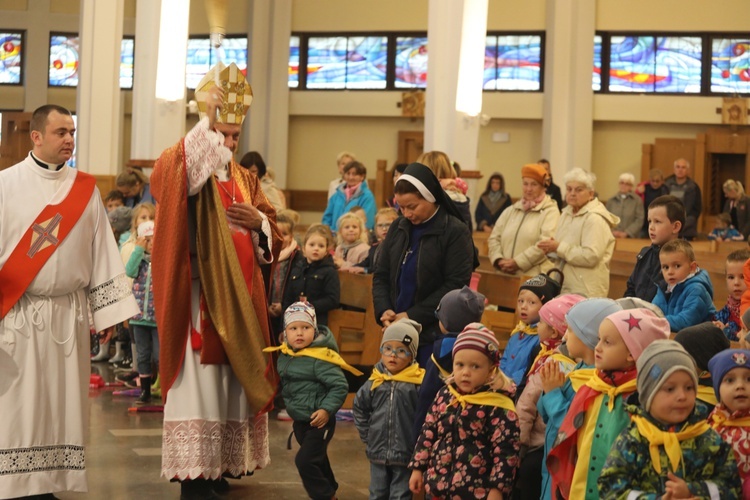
column 730, row 370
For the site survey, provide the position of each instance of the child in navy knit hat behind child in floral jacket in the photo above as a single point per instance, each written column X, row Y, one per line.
column 457, row 309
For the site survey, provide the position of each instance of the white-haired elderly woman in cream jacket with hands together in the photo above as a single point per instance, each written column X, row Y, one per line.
column 583, row 242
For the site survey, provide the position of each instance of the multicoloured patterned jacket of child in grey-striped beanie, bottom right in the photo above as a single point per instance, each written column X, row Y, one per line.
column 707, row 464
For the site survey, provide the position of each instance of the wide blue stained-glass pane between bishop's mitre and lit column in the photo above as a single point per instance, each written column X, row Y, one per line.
column 339, row 62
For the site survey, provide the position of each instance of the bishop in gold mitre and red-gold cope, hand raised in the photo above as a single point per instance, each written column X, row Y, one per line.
column 214, row 229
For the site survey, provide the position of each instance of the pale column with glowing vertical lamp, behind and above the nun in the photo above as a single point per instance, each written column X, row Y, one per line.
column 446, row 128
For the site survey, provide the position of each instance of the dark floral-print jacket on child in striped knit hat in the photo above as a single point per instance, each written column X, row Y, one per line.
column 465, row 452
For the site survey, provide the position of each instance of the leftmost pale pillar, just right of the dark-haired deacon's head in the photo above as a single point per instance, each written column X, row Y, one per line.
column 98, row 94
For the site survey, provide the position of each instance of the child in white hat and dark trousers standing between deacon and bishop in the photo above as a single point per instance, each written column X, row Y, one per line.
column 144, row 324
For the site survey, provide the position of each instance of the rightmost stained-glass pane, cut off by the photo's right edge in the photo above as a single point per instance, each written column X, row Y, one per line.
column 730, row 65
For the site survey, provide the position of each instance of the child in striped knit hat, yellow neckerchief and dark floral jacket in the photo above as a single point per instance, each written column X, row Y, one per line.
column 468, row 446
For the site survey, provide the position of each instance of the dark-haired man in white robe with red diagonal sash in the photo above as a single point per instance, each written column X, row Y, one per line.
column 58, row 258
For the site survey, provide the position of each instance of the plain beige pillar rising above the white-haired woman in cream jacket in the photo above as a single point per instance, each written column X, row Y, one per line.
column 568, row 99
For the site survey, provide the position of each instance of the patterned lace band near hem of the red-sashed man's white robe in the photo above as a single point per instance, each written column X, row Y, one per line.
column 41, row 459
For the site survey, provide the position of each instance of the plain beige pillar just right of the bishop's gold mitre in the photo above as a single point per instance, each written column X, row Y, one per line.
column 266, row 128
